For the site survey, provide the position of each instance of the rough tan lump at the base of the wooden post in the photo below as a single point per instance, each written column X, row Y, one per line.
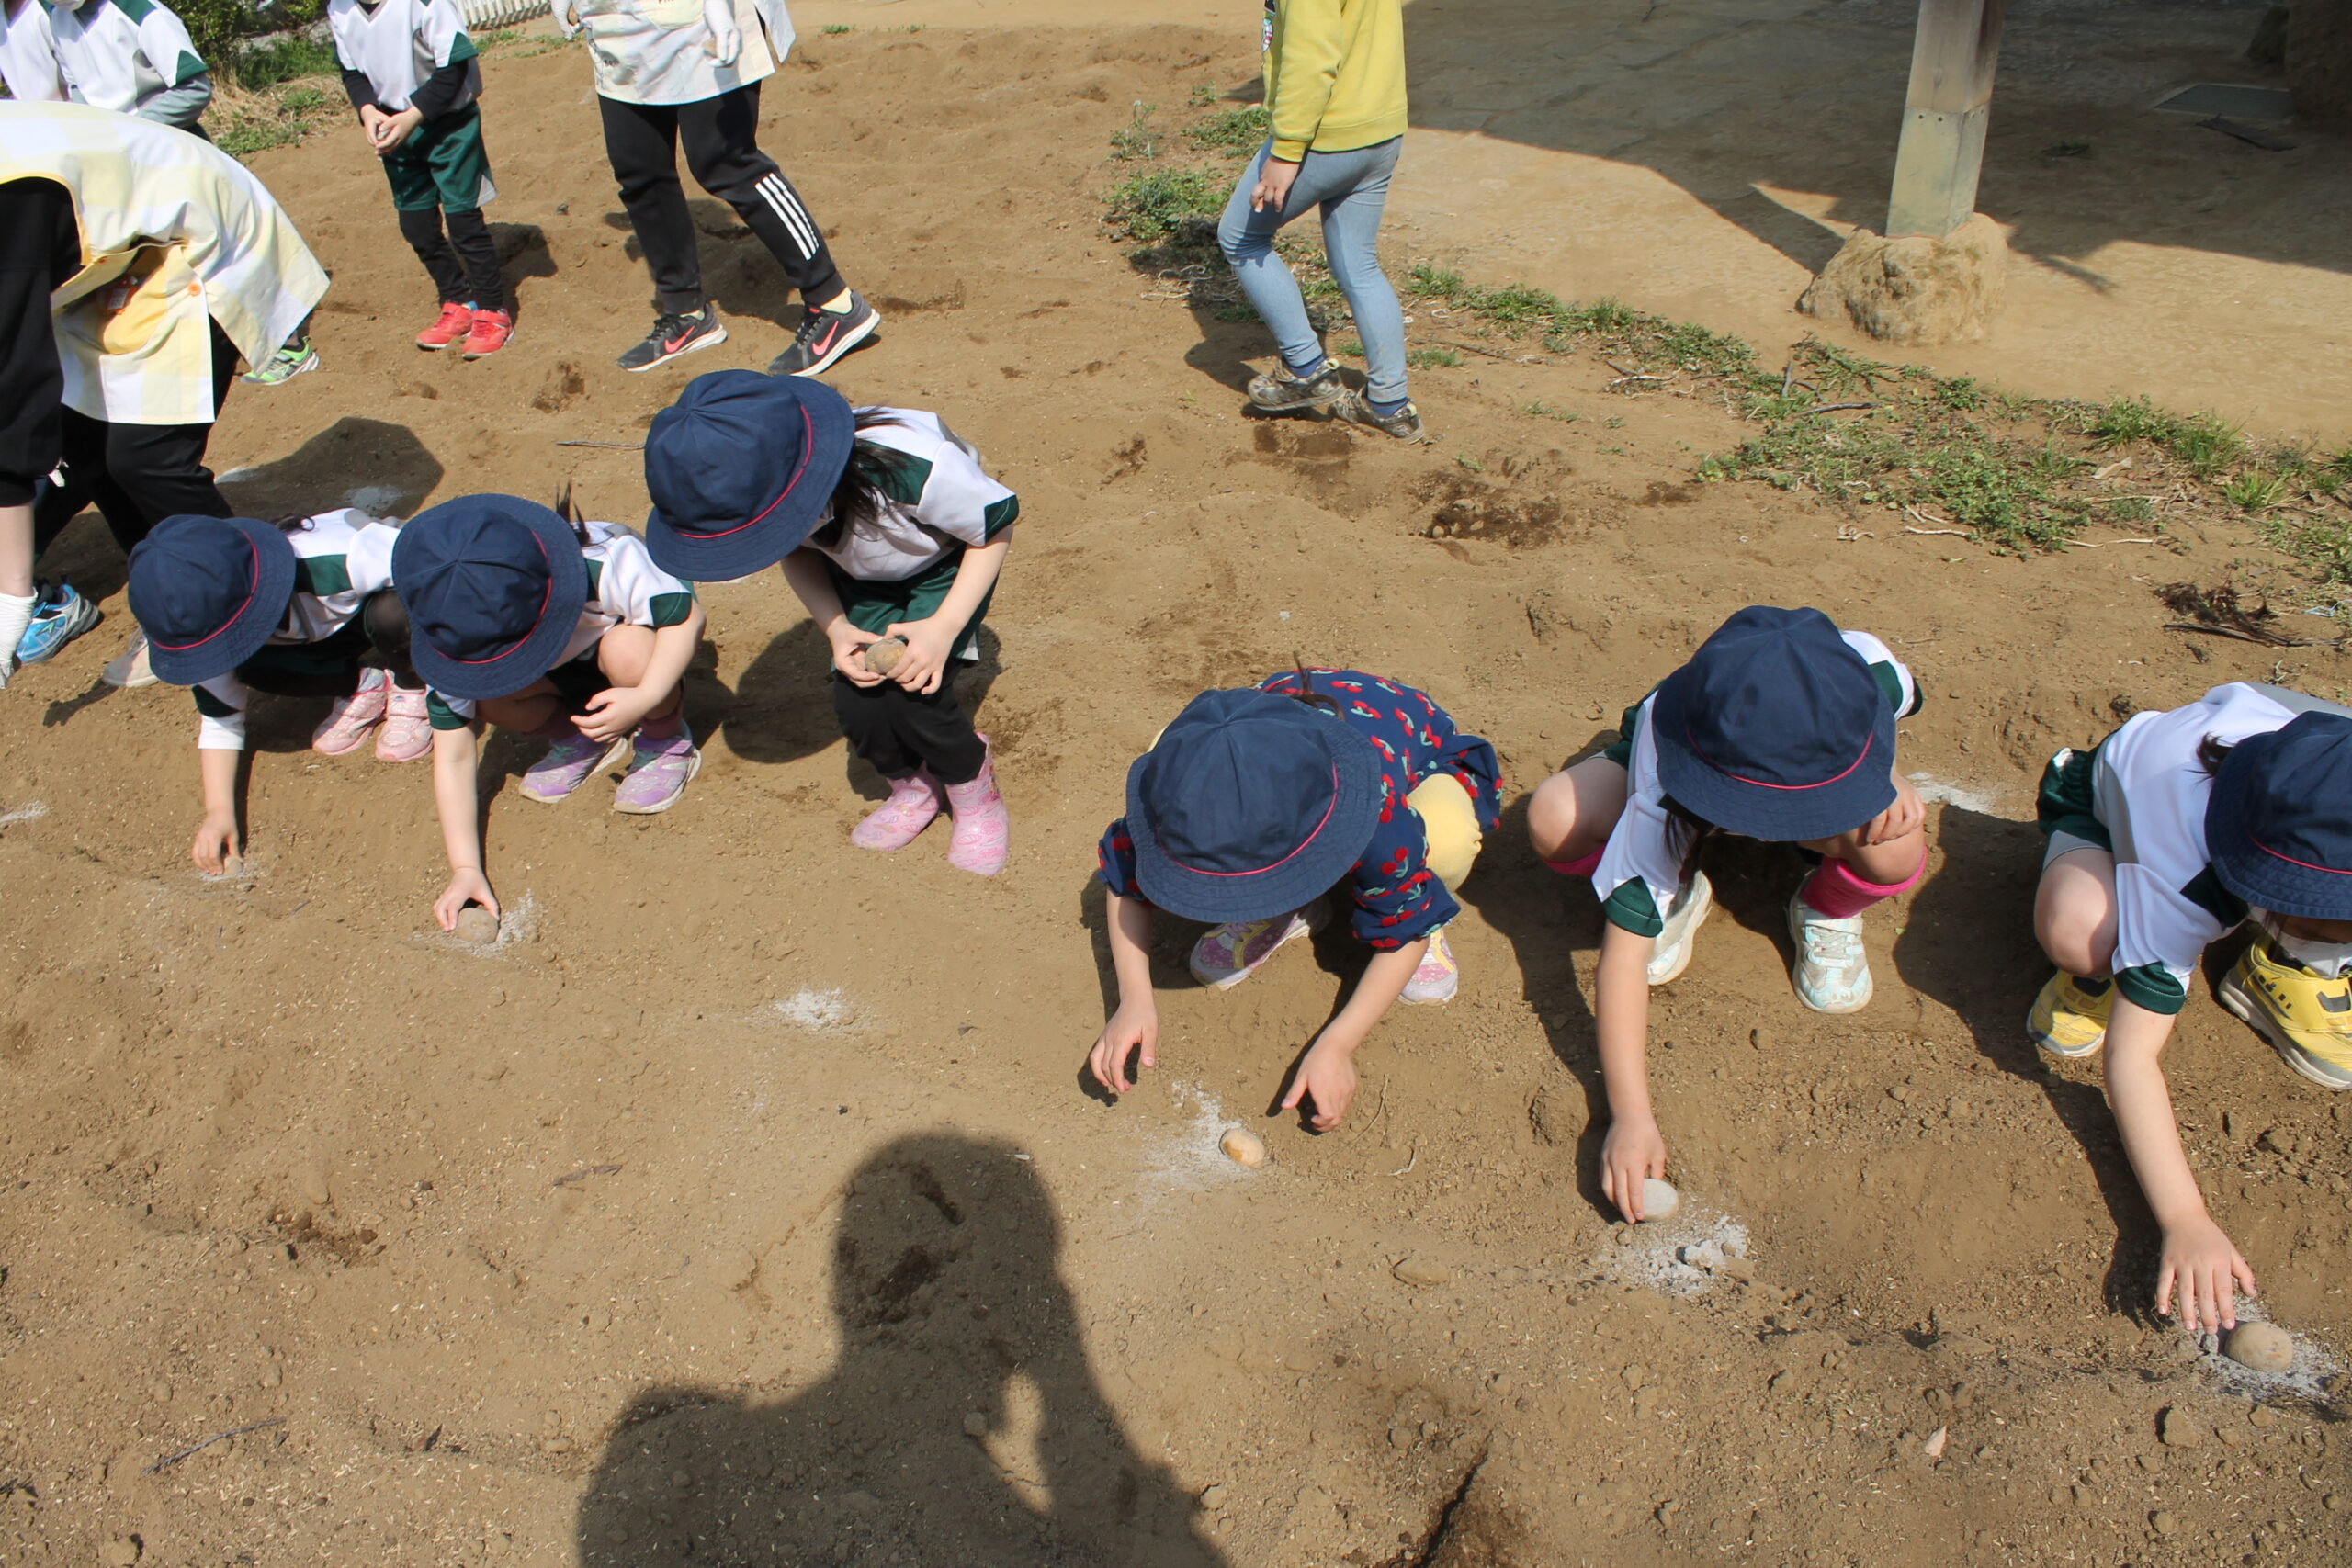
column 1916, row 290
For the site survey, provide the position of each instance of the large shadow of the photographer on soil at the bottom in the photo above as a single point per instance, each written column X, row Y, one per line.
column 961, row 1423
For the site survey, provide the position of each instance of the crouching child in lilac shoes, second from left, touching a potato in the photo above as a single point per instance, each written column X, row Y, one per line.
column 530, row 619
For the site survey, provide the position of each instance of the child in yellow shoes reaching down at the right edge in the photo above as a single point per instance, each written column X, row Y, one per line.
column 2160, row 840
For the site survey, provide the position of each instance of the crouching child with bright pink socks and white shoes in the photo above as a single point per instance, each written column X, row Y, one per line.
column 1782, row 728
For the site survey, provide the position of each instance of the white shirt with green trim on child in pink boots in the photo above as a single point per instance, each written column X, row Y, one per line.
column 940, row 502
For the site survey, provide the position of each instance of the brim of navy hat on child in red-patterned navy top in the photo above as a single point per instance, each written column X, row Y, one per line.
column 1290, row 885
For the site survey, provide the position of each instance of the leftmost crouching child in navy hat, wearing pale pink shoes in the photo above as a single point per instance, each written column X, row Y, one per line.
column 295, row 608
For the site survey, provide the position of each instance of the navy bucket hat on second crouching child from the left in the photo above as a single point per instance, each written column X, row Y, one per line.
column 493, row 589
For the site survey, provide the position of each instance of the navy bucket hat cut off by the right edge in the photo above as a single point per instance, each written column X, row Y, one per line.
column 2280, row 819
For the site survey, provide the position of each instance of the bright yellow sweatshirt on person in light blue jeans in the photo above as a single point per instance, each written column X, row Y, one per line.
column 1335, row 74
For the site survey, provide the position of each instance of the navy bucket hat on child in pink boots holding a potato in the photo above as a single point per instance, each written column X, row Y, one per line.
column 740, row 471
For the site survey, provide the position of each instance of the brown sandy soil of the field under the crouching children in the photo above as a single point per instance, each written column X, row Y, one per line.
column 744, row 1205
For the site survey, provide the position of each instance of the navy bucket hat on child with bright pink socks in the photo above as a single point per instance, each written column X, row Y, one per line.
column 1777, row 730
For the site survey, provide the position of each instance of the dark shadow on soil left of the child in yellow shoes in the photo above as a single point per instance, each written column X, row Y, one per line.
column 1970, row 944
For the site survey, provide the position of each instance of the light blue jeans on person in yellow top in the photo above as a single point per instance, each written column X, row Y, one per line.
column 1351, row 192
